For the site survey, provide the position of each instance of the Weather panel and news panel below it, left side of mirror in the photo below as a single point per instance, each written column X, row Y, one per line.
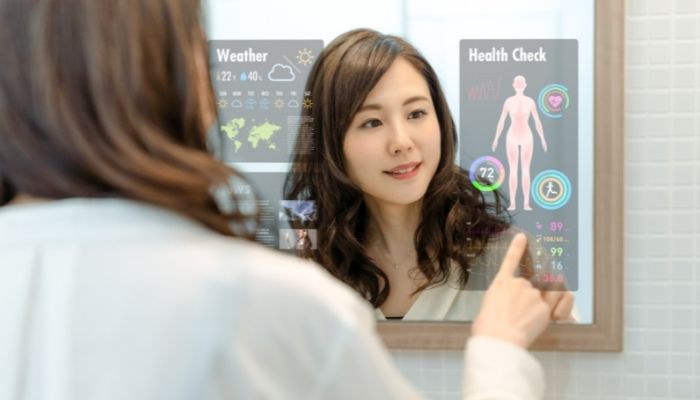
column 259, row 89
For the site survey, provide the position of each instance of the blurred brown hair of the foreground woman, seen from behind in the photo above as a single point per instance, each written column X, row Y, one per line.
column 111, row 99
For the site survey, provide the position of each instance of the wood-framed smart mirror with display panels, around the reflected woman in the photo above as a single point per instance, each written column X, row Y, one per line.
column 564, row 56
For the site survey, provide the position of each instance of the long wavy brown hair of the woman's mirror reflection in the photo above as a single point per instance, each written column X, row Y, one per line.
column 457, row 220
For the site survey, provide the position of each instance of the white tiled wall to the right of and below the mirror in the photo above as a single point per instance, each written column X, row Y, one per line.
column 661, row 359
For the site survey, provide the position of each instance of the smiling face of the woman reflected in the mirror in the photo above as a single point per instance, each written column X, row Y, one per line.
column 392, row 147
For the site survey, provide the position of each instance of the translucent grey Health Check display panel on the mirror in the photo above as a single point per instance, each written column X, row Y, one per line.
column 519, row 135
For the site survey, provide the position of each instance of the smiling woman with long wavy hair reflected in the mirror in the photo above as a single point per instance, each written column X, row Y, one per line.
column 396, row 219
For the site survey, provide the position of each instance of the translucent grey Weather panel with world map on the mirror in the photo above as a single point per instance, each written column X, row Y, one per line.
column 259, row 88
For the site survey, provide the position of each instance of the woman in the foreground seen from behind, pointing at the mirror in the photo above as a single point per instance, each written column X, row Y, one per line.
column 120, row 274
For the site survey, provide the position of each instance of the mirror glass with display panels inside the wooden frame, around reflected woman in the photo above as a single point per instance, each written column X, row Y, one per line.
column 492, row 59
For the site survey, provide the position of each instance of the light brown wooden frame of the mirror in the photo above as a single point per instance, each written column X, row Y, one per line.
column 605, row 333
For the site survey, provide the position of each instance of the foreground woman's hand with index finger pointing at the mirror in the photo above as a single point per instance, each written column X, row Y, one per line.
column 512, row 309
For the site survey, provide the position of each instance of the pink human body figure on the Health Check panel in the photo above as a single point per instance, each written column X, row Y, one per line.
column 519, row 142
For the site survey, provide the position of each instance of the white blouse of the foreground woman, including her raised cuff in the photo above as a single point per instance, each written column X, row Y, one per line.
column 113, row 299
